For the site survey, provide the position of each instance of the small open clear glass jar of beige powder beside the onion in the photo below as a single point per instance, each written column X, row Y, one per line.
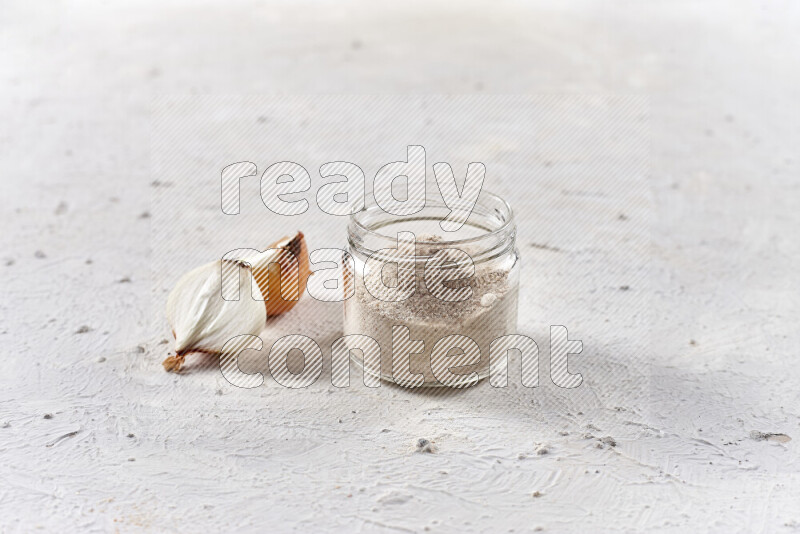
column 481, row 307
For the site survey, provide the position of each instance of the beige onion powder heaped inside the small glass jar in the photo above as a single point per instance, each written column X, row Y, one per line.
column 489, row 313
